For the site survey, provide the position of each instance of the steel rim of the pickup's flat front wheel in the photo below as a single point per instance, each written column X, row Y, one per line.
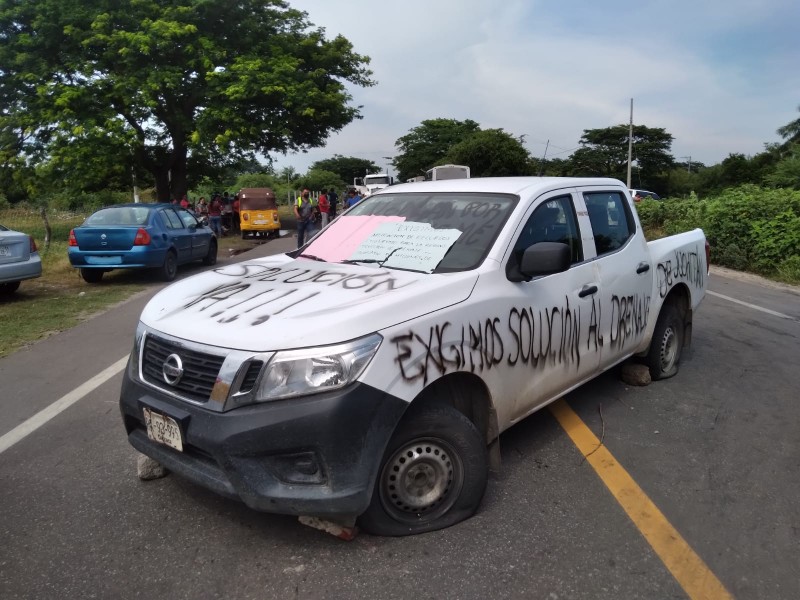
column 421, row 480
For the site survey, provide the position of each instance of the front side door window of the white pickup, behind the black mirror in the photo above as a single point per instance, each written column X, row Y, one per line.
column 552, row 221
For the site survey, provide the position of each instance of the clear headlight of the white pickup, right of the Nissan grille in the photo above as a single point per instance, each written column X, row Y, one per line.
column 314, row 370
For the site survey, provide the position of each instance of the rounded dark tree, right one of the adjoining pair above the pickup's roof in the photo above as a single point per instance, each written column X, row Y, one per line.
column 491, row 153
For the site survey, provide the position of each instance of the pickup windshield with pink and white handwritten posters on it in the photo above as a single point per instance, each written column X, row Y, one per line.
column 428, row 232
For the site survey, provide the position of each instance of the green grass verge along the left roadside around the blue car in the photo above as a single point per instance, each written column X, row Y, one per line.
column 60, row 299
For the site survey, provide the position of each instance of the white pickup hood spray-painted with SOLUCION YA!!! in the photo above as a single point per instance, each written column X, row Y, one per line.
column 278, row 303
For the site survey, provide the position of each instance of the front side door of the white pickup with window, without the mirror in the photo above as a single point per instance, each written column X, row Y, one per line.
column 553, row 321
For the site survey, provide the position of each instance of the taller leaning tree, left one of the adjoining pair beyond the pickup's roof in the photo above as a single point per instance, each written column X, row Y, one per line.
column 426, row 145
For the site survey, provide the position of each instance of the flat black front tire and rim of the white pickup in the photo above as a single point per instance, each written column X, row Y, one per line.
column 433, row 474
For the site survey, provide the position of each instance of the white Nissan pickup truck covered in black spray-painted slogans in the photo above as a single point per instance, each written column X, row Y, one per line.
column 369, row 374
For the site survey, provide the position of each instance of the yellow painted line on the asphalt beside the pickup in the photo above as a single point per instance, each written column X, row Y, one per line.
column 686, row 566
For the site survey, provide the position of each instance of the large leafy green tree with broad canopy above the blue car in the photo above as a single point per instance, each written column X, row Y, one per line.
column 177, row 87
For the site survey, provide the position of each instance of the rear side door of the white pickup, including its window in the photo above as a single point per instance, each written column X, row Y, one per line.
column 617, row 251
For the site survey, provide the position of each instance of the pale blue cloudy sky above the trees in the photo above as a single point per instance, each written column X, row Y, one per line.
column 720, row 76
